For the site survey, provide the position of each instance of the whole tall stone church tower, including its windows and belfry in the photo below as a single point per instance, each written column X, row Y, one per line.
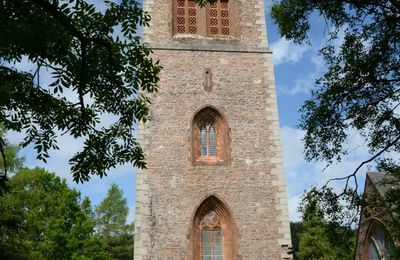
column 214, row 188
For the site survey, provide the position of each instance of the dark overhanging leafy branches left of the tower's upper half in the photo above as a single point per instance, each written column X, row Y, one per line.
column 98, row 64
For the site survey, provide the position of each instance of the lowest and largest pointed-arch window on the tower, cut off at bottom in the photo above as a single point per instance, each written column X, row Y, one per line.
column 213, row 231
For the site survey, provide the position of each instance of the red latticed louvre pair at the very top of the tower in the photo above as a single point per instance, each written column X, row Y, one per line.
column 212, row 20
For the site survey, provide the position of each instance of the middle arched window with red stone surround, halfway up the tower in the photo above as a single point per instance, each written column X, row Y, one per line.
column 210, row 137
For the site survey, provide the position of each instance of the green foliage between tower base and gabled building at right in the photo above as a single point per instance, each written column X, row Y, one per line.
column 328, row 223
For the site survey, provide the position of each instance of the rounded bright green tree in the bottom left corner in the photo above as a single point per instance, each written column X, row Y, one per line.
column 42, row 218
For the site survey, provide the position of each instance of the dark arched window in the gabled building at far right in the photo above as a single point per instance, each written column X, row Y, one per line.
column 380, row 245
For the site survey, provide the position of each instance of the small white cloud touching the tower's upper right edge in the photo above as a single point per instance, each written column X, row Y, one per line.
column 285, row 51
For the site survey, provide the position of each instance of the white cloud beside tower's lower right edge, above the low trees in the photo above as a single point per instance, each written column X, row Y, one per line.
column 301, row 175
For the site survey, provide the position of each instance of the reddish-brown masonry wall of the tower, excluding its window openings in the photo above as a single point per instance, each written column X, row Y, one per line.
column 252, row 185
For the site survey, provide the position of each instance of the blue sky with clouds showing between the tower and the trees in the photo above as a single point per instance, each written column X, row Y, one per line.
column 296, row 68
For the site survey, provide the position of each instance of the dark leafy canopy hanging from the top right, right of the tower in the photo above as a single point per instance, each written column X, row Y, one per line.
column 360, row 90
